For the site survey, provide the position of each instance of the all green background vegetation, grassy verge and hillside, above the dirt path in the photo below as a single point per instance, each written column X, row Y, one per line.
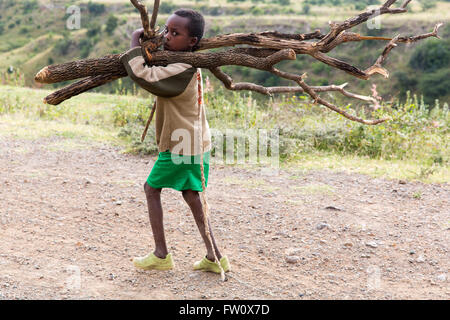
column 416, row 96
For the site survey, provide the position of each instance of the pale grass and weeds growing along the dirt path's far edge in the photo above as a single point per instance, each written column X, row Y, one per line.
column 417, row 134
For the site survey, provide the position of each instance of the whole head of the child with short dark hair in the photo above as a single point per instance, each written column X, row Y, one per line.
column 184, row 30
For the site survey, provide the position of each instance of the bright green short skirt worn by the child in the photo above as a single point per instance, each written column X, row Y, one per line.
column 178, row 172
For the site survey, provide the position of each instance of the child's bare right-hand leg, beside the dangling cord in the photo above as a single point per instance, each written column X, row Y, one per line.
column 194, row 202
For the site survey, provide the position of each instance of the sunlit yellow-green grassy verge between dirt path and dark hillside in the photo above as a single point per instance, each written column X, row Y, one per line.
column 412, row 146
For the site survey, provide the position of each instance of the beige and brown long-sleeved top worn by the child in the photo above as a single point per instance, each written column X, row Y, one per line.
column 177, row 109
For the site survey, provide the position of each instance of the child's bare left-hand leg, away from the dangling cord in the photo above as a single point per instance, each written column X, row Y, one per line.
column 156, row 220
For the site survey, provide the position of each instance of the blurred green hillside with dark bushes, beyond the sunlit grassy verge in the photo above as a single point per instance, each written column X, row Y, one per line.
column 34, row 34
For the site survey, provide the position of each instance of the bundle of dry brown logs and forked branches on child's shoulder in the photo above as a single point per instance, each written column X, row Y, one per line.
column 268, row 48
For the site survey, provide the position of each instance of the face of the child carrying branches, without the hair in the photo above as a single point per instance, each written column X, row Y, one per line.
column 177, row 34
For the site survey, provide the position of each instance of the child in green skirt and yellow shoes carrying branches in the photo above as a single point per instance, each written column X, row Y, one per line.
column 176, row 87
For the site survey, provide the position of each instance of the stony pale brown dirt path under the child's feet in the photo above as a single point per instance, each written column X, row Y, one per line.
column 72, row 218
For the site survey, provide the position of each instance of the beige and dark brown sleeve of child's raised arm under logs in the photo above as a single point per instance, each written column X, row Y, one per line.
column 169, row 81
